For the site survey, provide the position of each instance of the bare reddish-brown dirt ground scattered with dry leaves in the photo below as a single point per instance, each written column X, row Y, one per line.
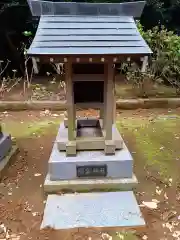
column 21, row 188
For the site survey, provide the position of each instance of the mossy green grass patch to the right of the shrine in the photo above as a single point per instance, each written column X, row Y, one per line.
column 157, row 142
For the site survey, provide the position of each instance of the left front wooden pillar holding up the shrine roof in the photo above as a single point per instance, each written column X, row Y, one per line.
column 70, row 100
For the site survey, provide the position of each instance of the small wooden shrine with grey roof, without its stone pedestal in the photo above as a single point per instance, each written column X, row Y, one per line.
column 89, row 39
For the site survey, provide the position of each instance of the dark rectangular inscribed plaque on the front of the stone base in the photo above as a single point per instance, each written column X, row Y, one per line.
column 92, row 171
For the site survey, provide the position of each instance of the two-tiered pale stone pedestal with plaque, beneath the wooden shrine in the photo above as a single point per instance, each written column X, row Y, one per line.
column 89, row 167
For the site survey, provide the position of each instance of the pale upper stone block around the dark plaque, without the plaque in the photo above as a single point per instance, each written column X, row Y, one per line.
column 62, row 167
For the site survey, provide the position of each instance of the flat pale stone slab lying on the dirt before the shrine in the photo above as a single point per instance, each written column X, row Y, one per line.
column 105, row 211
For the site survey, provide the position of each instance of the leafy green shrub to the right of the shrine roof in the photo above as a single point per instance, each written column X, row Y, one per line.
column 164, row 64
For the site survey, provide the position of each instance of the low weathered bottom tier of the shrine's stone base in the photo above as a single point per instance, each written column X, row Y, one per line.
column 84, row 185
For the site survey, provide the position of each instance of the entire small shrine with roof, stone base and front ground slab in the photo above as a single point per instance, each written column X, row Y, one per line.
column 89, row 153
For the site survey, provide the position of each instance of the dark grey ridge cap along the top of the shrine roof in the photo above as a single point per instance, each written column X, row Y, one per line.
column 40, row 7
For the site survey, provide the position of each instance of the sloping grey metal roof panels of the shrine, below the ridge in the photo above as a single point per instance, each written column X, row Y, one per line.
column 88, row 35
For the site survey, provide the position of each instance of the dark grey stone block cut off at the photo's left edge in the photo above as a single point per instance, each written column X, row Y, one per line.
column 5, row 145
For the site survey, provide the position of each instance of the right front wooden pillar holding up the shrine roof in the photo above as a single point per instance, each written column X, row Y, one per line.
column 109, row 101
